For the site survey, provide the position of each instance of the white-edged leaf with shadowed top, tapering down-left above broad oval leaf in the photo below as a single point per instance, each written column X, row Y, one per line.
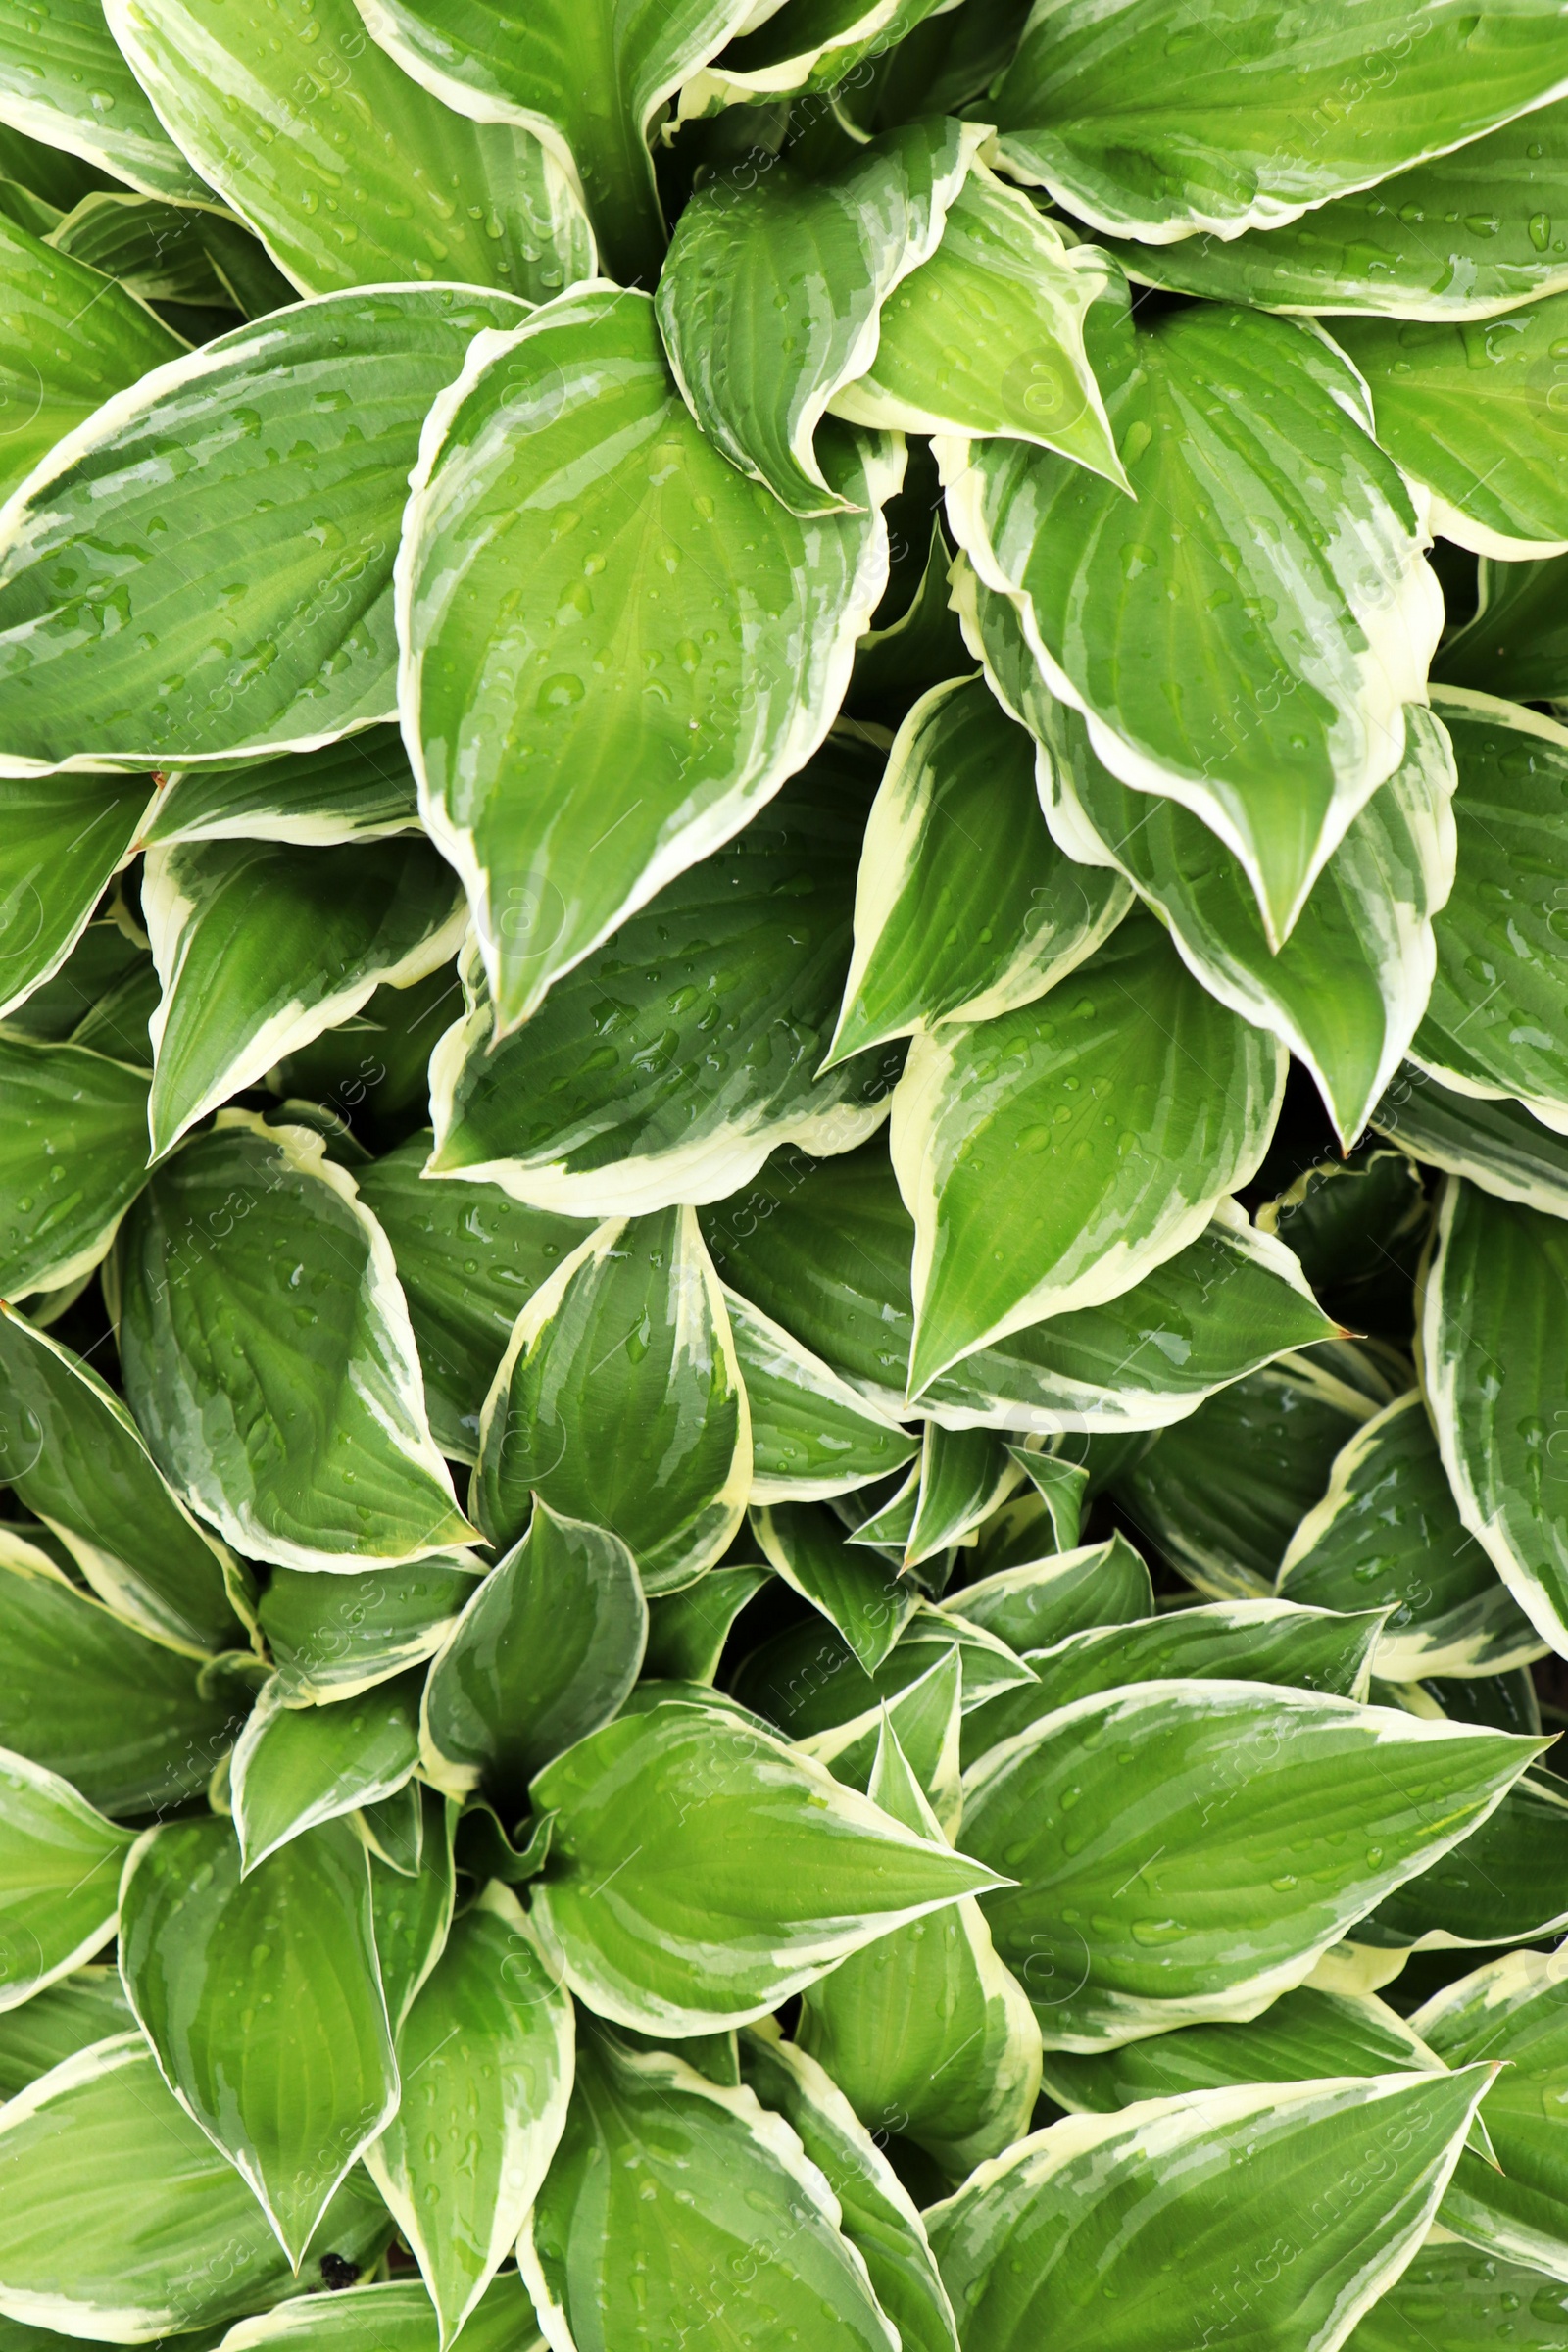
column 260, row 949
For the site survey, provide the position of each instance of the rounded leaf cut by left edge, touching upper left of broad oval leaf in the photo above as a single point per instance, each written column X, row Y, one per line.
column 72, row 1161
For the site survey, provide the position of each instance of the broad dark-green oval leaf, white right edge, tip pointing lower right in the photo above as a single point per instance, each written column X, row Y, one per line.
column 253, row 1278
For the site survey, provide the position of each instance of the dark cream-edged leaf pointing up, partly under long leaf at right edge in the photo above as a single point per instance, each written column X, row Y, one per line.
column 1388, row 1537
